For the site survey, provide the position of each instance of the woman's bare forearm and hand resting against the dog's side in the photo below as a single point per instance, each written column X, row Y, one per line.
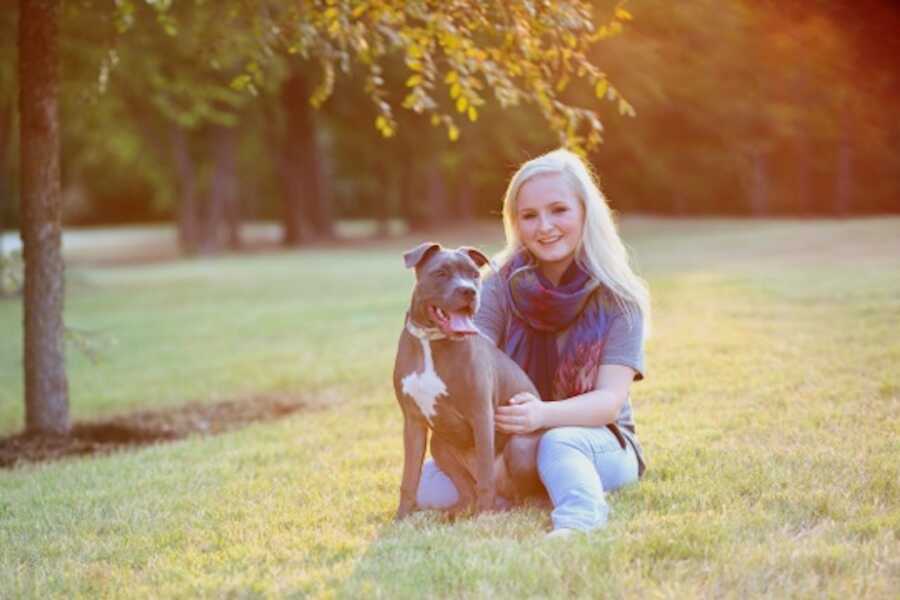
column 596, row 408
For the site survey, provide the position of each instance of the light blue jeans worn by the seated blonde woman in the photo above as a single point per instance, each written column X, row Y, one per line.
column 578, row 465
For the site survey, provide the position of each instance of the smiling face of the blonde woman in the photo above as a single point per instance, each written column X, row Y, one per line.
column 550, row 221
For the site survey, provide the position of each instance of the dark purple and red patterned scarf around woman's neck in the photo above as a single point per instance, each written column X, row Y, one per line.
column 540, row 312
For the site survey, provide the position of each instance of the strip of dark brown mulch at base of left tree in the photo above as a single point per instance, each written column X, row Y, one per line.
column 145, row 428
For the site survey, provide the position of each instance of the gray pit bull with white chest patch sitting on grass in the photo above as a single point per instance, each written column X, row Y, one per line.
column 449, row 378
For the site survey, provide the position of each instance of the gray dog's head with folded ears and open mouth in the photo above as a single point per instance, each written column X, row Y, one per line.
column 447, row 289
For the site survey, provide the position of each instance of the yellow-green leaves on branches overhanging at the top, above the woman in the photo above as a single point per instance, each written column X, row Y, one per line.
column 456, row 54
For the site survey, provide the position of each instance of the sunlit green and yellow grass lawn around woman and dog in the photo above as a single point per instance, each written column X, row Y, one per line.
column 770, row 416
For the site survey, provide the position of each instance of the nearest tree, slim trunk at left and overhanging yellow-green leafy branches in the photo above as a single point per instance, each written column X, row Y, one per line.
column 518, row 51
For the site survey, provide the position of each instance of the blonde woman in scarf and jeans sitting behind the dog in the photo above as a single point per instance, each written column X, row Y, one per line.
column 567, row 307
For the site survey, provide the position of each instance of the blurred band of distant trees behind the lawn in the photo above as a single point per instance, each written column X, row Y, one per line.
column 743, row 108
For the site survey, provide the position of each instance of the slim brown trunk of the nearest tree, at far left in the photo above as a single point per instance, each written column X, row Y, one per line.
column 46, row 386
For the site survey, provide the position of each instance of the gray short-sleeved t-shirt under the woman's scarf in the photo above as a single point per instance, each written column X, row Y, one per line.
column 623, row 343
